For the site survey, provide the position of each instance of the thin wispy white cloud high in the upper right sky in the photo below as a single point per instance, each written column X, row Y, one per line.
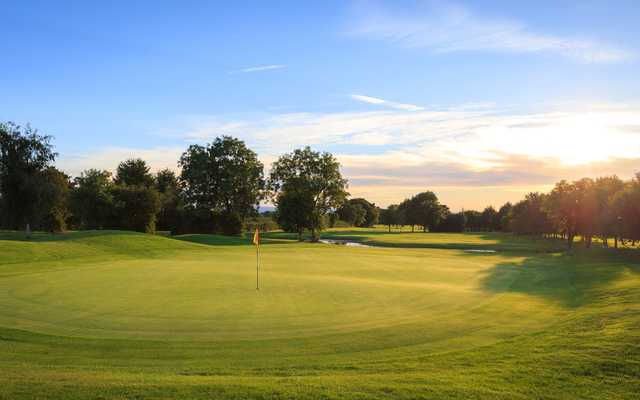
column 455, row 29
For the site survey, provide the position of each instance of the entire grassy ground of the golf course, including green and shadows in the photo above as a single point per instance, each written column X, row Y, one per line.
column 124, row 315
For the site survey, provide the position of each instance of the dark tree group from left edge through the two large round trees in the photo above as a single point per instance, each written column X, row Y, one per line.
column 218, row 190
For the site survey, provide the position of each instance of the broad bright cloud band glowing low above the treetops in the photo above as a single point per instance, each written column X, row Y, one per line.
column 390, row 154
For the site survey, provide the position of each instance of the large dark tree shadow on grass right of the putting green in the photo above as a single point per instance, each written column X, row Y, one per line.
column 572, row 279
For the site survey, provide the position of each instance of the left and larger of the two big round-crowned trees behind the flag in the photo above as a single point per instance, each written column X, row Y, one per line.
column 224, row 178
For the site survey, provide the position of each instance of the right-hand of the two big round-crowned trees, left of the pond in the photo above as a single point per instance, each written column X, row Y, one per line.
column 314, row 179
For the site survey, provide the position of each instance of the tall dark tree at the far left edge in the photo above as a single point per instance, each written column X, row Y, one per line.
column 24, row 154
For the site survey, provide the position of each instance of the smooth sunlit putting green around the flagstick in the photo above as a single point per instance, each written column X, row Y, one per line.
column 209, row 294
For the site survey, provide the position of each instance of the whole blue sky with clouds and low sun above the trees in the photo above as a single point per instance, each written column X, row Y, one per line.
column 479, row 101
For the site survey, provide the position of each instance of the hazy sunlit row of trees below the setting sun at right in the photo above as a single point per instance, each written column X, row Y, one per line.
column 606, row 208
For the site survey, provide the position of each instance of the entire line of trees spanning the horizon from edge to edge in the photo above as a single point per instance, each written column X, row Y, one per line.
column 221, row 184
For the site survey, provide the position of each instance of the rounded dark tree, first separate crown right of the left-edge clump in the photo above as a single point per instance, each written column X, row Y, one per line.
column 92, row 199
